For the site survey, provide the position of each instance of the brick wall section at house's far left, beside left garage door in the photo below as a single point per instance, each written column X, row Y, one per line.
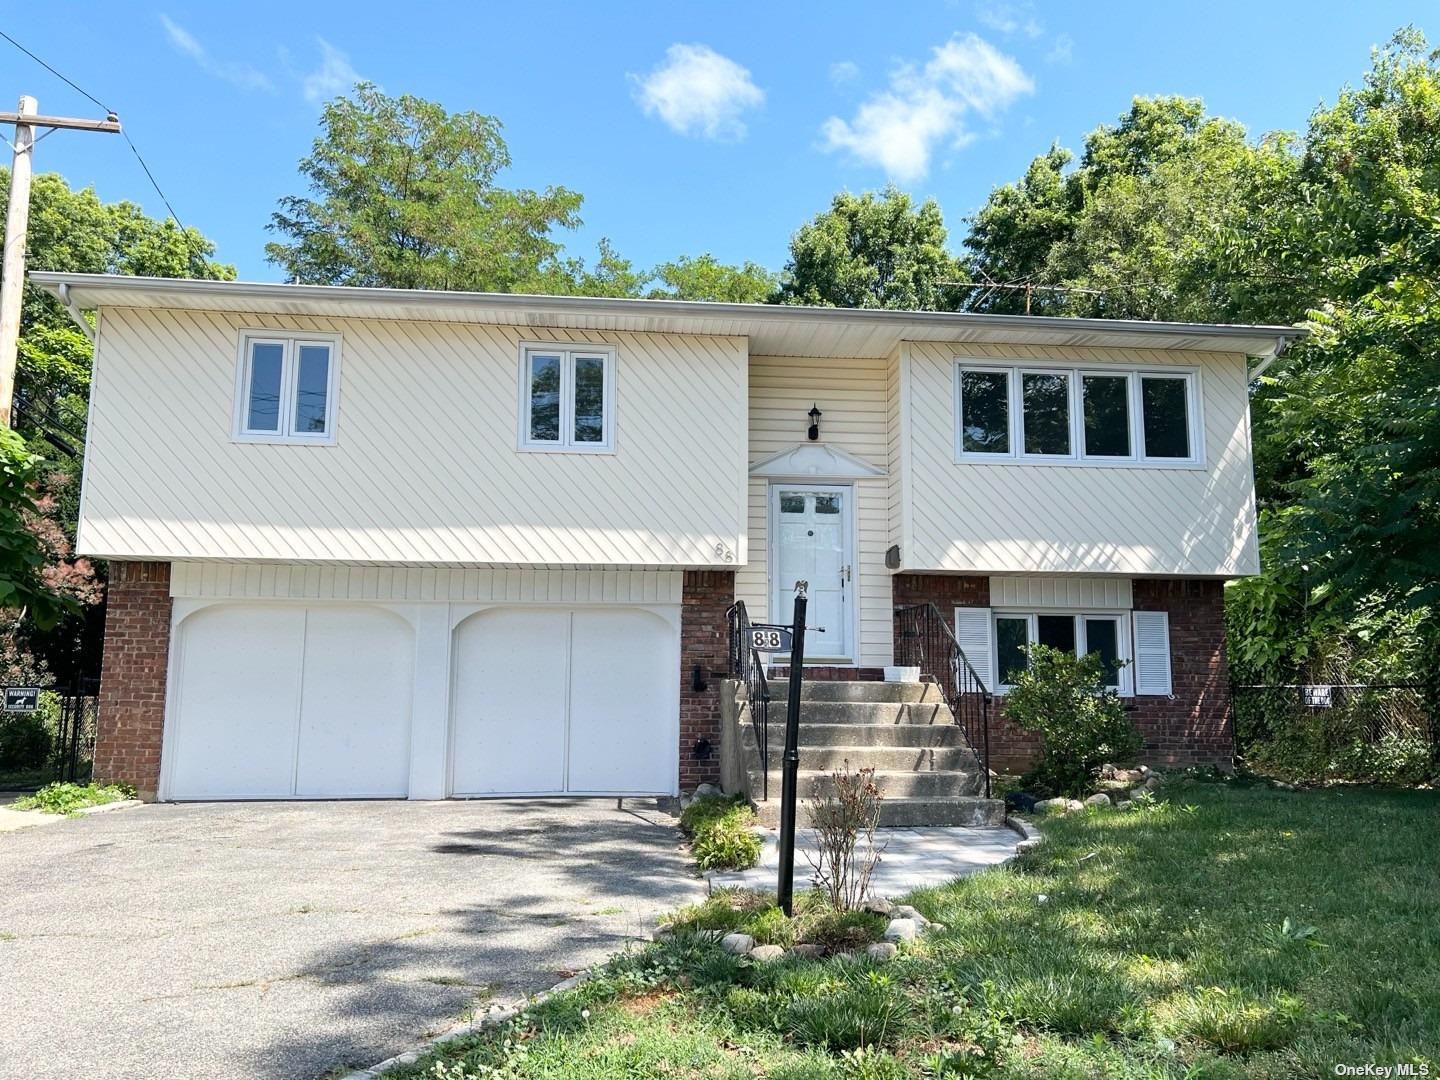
column 133, row 676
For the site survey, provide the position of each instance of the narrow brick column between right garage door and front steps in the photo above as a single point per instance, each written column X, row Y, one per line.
column 705, row 640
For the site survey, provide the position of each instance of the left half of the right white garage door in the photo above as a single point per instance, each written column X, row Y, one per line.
column 510, row 703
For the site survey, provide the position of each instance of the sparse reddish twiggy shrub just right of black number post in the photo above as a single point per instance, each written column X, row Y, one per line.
column 843, row 814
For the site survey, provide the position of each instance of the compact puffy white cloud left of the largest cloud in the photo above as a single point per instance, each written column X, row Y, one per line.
column 699, row 93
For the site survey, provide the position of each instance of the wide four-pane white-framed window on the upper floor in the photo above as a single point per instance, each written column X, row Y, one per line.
column 1114, row 415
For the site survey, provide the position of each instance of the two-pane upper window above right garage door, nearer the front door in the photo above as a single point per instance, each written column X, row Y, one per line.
column 568, row 400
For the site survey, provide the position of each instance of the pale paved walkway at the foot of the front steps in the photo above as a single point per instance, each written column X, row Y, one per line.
column 912, row 859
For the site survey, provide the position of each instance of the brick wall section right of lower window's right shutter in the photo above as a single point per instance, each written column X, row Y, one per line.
column 1194, row 725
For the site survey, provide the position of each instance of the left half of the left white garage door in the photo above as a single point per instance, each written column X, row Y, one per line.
column 238, row 702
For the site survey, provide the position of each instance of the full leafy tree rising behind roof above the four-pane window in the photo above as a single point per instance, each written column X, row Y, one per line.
column 1134, row 231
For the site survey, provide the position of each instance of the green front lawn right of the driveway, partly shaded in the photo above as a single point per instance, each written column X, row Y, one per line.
column 1222, row 931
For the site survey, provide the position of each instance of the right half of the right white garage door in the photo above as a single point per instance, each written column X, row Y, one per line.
column 623, row 735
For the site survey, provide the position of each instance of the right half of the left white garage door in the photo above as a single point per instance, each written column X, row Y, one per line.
column 355, row 719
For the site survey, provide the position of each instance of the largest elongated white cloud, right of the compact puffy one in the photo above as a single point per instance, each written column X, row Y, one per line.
column 901, row 127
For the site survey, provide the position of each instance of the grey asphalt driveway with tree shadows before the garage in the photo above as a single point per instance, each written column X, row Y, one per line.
column 292, row 941
